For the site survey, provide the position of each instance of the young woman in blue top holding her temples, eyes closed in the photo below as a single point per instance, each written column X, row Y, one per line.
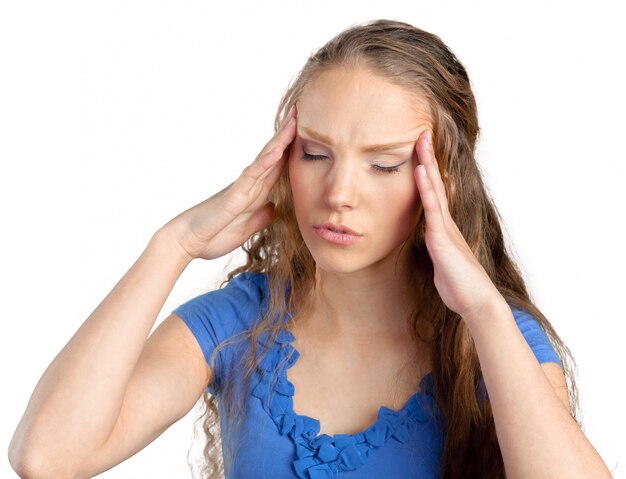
column 379, row 327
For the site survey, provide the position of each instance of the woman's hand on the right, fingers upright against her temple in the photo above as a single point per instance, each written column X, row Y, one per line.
column 462, row 282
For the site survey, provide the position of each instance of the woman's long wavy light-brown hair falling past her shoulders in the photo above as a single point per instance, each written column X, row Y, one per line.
column 422, row 64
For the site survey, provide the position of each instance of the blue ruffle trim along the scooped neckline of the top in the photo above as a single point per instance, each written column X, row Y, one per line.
column 323, row 456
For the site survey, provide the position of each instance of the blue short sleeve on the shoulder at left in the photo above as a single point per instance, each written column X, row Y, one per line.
column 217, row 315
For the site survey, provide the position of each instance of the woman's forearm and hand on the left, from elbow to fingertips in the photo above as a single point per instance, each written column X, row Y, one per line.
column 77, row 402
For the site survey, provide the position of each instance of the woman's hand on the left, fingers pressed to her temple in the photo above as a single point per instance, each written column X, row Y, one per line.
column 227, row 219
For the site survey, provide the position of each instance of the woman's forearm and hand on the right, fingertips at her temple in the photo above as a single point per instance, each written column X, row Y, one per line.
column 537, row 436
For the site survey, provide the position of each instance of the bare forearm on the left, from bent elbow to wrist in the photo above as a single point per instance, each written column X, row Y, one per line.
column 77, row 401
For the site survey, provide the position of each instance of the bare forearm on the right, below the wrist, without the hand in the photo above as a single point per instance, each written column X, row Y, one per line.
column 537, row 436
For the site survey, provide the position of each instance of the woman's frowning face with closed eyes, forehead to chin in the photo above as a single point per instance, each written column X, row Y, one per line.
column 337, row 177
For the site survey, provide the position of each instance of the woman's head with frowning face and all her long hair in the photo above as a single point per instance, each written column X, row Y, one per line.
column 382, row 82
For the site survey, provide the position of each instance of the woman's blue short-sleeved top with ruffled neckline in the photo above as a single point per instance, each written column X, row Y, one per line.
column 276, row 442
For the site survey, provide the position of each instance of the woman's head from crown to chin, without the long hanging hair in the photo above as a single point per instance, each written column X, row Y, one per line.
column 380, row 82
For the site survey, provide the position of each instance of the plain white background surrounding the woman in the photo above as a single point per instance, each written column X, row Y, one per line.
column 116, row 116
